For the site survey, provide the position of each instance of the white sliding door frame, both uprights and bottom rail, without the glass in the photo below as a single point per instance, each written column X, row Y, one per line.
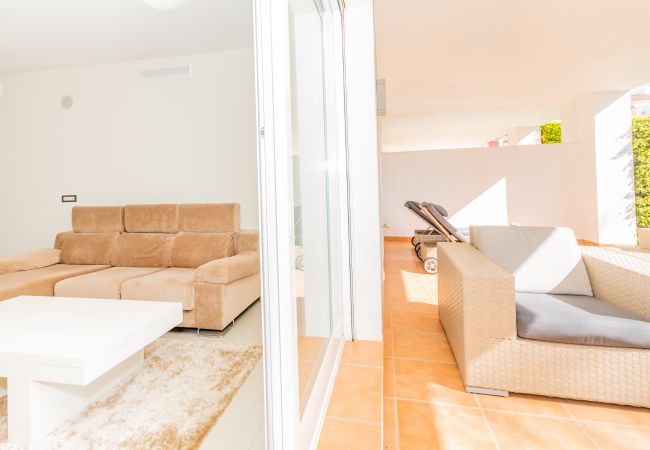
column 285, row 428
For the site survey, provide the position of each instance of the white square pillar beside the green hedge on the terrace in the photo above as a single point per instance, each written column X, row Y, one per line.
column 600, row 124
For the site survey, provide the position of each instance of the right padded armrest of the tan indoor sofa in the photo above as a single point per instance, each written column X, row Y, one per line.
column 227, row 270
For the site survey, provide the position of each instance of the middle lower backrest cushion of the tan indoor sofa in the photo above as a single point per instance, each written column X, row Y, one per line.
column 142, row 250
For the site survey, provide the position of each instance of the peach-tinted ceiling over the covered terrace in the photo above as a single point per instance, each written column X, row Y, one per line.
column 461, row 72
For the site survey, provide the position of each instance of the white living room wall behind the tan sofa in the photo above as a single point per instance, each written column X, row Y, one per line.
column 125, row 140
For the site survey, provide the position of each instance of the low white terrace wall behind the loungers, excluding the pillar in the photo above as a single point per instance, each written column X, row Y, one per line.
column 529, row 185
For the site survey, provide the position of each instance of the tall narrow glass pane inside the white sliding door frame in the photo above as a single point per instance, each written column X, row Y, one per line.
column 313, row 205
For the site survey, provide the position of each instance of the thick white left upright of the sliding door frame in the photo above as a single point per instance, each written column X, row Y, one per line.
column 276, row 224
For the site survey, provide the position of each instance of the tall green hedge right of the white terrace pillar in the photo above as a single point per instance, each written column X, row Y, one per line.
column 641, row 149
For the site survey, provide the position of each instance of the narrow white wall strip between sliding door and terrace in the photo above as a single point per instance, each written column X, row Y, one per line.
column 365, row 215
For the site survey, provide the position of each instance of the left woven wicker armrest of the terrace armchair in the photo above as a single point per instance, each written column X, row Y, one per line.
column 476, row 297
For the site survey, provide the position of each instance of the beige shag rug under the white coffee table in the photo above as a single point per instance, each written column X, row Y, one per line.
column 171, row 403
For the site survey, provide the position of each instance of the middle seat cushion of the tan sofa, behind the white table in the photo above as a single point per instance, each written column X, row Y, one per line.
column 103, row 284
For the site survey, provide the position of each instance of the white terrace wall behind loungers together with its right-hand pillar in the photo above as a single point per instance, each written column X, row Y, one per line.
column 586, row 183
